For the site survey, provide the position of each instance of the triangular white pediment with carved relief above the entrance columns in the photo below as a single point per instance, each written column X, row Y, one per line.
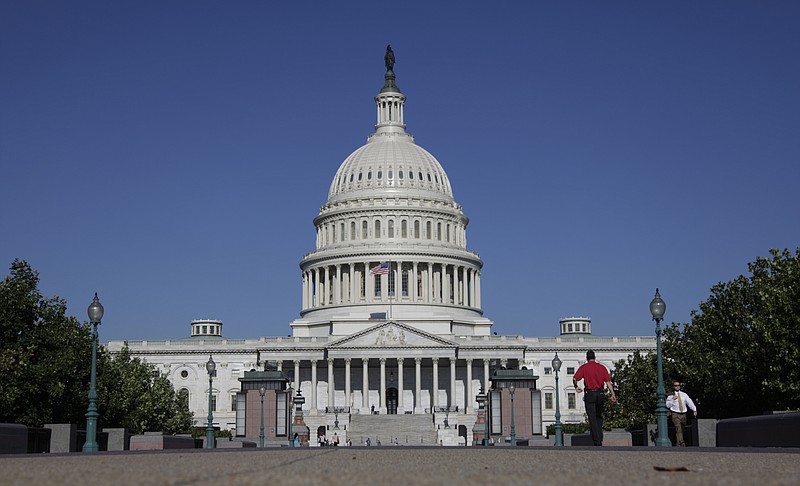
column 392, row 335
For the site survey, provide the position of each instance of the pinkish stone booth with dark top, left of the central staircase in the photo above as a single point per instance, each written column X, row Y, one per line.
column 264, row 394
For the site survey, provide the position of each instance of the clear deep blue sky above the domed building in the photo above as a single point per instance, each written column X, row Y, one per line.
column 172, row 155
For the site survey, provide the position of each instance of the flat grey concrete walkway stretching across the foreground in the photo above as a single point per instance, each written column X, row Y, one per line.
column 394, row 465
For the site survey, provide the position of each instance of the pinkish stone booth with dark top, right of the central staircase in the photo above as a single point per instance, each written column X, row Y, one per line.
column 515, row 406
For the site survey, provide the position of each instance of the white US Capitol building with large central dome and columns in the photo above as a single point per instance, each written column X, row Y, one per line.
column 391, row 343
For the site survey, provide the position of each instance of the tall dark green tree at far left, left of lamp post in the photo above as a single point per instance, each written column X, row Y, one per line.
column 45, row 356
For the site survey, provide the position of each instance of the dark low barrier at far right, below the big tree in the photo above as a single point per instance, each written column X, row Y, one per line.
column 776, row 430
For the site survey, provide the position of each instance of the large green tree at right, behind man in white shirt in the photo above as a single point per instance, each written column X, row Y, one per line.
column 740, row 355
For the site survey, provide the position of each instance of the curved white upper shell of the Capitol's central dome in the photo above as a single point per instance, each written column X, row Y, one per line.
column 390, row 163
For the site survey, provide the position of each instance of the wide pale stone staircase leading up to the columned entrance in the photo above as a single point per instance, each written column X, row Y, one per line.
column 407, row 429
